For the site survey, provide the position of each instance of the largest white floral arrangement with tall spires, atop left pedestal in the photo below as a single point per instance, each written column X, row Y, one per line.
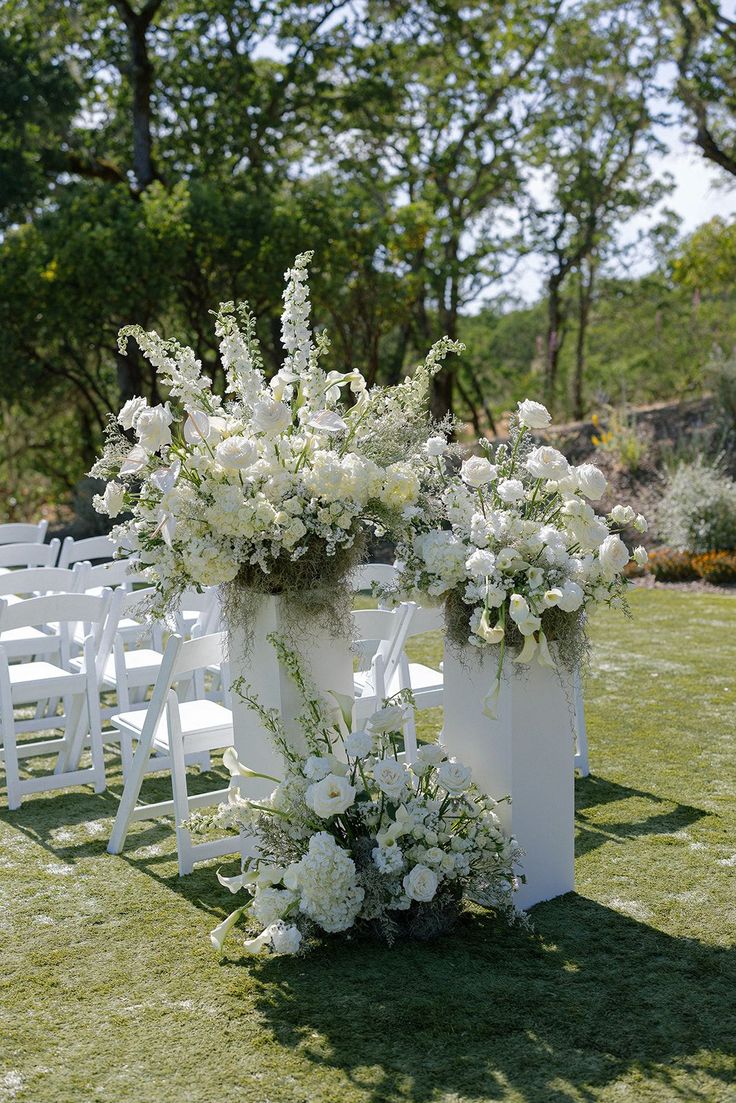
column 271, row 478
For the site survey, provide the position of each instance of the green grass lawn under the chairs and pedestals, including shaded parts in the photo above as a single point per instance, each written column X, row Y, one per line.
column 625, row 993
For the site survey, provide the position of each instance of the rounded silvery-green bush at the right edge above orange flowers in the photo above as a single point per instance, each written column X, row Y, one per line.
column 698, row 512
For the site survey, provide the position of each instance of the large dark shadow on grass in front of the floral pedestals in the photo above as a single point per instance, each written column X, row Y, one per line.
column 553, row 1018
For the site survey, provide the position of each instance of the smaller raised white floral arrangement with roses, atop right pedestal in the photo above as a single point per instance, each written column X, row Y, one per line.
column 514, row 547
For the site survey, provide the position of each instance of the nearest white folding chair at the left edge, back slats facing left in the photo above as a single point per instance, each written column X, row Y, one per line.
column 22, row 684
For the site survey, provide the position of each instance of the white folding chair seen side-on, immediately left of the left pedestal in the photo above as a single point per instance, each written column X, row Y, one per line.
column 176, row 731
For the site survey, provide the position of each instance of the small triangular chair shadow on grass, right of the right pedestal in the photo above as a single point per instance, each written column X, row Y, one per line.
column 648, row 815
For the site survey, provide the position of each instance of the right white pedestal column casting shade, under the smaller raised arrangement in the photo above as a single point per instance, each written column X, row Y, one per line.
column 526, row 753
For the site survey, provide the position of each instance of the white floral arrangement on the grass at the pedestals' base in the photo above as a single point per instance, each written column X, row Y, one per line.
column 353, row 839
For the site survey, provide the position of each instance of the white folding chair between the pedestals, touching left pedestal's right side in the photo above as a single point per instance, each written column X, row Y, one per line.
column 379, row 638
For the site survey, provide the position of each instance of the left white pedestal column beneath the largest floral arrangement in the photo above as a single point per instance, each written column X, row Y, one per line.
column 327, row 661
